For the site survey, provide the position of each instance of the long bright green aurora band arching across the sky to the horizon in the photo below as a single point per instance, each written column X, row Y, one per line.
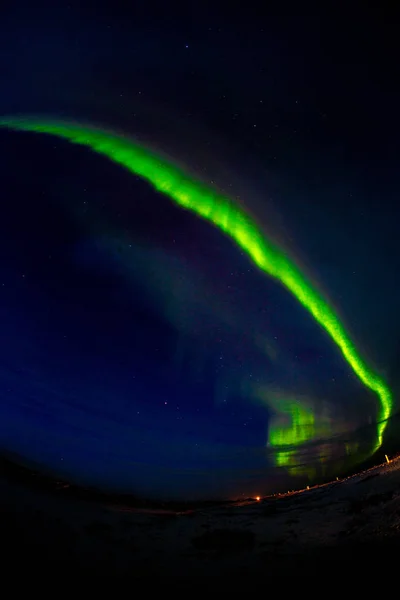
column 229, row 218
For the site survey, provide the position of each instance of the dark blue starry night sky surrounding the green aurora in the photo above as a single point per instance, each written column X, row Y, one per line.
column 141, row 349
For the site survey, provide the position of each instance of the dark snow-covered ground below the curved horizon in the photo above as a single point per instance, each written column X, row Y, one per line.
column 334, row 526
